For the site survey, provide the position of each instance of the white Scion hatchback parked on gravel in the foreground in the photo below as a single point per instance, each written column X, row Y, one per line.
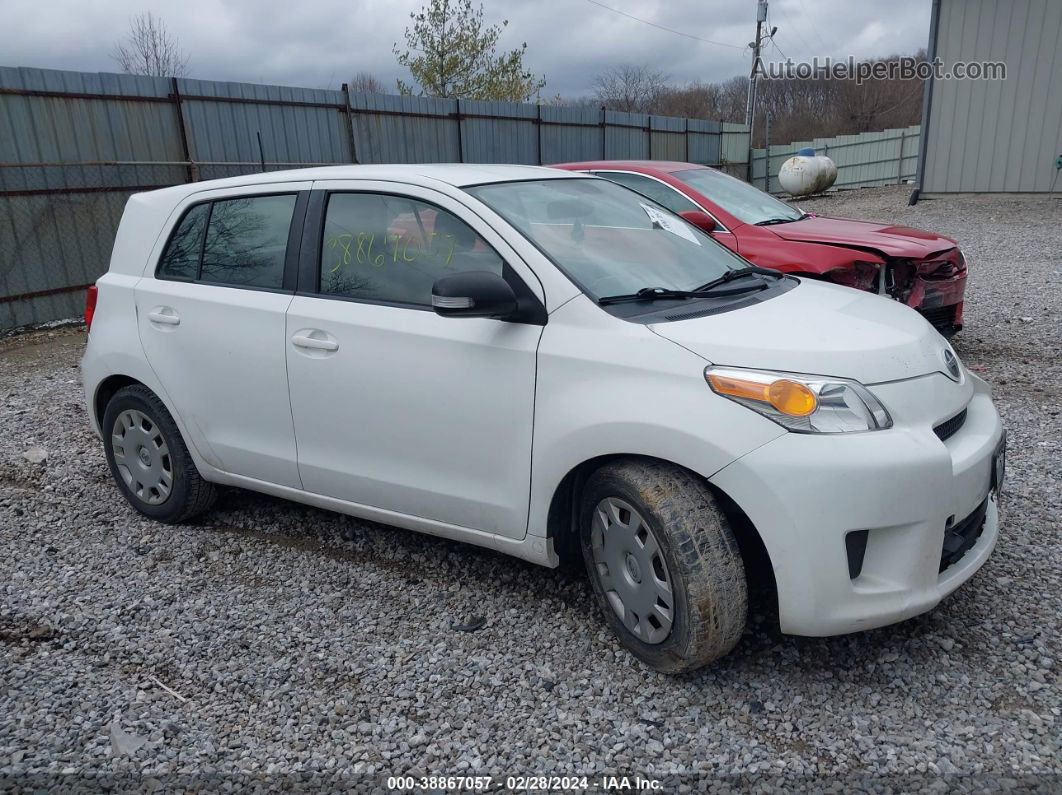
column 536, row 360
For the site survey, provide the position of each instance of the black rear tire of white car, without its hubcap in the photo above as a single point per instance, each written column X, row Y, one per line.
column 190, row 495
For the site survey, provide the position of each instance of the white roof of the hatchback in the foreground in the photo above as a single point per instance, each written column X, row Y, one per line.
column 425, row 175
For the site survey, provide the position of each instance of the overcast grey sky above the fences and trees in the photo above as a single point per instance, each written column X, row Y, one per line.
column 323, row 43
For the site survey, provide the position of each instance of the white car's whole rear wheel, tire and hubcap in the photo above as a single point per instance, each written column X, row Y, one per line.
column 148, row 459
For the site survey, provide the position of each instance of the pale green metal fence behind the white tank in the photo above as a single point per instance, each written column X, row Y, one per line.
column 866, row 160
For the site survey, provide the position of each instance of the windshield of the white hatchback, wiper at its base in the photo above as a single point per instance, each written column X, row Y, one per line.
column 607, row 238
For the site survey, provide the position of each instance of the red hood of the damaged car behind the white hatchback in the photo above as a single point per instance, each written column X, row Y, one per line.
column 894, row 241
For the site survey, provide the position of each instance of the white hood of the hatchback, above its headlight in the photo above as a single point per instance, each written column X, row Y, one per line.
column 818, row 329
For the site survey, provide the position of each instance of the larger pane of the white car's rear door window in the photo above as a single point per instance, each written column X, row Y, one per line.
column 247, row 240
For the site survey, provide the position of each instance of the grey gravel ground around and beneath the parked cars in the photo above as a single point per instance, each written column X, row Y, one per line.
column 306, row 649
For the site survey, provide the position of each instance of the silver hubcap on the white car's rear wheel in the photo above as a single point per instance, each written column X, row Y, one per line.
column 143, row 457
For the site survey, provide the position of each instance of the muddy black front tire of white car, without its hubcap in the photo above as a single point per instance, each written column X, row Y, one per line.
column 701, row 555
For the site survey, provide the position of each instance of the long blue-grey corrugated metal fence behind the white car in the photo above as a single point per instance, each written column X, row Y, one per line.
column 74, row 146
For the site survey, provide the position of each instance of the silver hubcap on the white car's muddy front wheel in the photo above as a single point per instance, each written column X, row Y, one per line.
column 631, row 571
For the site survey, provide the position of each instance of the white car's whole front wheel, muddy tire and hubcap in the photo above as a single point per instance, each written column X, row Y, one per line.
column 664, row 564
